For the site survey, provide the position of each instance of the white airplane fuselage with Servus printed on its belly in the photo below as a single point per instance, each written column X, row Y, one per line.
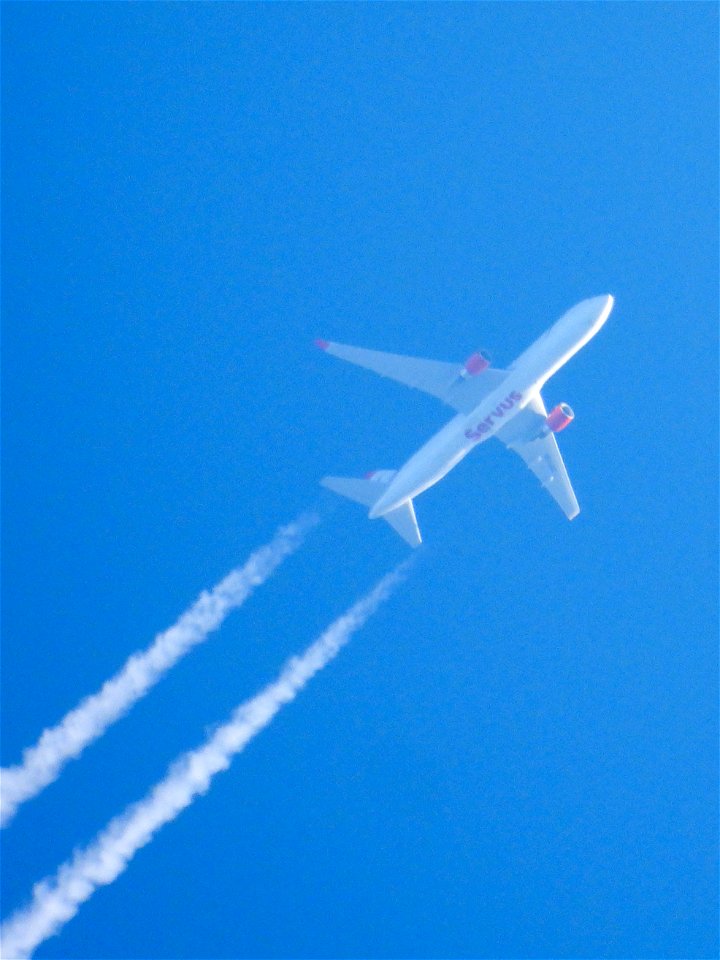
column 525, row 379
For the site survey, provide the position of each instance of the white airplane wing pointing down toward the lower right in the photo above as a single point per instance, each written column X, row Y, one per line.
column 541, row 453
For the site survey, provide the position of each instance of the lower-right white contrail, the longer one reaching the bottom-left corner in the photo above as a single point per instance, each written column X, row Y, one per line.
column 57, row 900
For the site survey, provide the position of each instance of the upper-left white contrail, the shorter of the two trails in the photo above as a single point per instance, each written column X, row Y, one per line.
column 42, row 763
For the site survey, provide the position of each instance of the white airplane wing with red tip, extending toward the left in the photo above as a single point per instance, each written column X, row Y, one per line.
column 441, row 380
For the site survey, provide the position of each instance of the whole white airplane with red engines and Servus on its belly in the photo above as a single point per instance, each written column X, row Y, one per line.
column 489, row 402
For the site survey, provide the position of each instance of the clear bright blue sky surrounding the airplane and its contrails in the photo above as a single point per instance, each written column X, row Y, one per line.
column 518, row 756
